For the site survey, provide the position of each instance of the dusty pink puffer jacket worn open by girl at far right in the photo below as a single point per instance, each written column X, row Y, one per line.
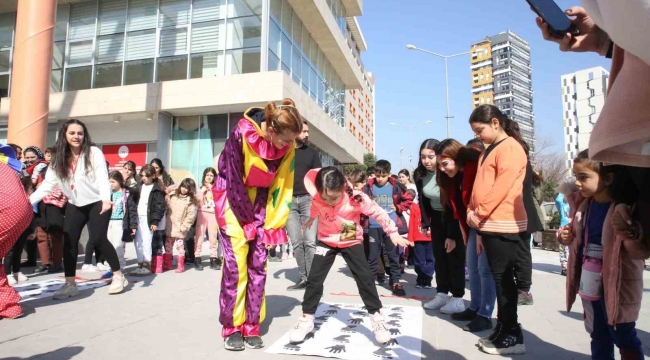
column 622, row 266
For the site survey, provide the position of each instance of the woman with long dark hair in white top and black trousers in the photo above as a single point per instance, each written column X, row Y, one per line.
column 79, row 168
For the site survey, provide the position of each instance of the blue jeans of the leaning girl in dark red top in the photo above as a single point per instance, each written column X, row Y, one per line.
column 481, row 282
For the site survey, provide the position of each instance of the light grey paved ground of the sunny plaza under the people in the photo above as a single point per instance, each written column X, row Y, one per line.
column 175, row 316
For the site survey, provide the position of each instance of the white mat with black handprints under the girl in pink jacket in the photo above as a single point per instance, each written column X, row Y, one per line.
column 343, row 331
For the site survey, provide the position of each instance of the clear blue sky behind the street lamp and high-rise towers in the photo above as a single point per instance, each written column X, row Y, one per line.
column 410, row 85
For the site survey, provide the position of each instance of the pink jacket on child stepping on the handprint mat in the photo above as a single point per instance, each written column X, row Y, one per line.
column 340, row 225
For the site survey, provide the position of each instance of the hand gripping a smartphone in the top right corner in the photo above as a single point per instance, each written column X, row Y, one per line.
column 590, row 37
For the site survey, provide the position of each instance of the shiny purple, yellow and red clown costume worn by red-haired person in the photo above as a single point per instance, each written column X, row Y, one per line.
column 252, row 195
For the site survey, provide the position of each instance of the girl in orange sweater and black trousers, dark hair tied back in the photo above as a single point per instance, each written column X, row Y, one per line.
column 497, row 211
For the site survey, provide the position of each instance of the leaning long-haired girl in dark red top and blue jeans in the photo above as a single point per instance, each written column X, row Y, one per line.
column 457, row 171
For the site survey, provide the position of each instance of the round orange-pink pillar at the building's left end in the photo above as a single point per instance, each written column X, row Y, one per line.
column 31, row 73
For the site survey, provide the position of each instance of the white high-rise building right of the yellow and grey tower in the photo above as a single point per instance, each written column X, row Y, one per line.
column 583, row 97
